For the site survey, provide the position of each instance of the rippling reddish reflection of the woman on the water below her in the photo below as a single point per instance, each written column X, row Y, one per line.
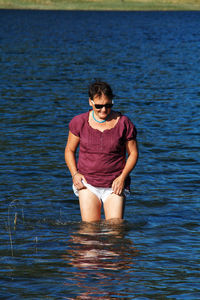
column 100, row 252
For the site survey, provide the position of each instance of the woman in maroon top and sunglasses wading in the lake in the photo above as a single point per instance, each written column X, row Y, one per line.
column 102, row 172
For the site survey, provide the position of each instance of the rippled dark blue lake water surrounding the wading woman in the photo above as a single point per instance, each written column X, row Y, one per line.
column 48, row 59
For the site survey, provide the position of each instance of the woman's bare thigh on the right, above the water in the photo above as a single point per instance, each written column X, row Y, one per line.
column 114, row 207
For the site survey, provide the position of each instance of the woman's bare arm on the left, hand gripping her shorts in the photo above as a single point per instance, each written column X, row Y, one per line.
column 70, row 158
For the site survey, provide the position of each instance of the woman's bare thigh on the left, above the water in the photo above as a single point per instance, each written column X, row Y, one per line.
column 90, row 206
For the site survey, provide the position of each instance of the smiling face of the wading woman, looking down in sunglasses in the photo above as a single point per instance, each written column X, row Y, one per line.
column 103, row 112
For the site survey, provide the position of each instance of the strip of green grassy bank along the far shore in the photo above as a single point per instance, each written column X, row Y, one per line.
column 102, row 4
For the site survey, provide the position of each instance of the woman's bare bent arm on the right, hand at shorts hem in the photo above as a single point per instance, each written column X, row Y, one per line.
column 132, row 150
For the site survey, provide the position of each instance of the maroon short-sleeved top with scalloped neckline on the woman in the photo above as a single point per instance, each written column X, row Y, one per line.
column 102, row 155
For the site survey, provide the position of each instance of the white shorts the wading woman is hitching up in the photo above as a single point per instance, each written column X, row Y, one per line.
column 100, row 192
